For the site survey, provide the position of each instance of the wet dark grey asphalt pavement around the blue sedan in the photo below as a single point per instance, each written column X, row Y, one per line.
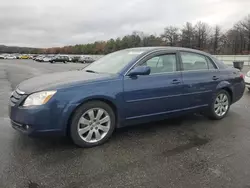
column 189, row 152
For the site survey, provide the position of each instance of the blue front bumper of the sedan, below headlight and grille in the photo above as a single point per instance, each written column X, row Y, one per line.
column 44, row 119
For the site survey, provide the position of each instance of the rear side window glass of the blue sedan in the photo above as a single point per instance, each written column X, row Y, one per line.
column 194, row 61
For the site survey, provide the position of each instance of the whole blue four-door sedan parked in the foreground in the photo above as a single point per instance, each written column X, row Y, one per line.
column 126, row 87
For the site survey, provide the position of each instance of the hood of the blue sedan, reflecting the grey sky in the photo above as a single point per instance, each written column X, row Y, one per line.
column 60, row 80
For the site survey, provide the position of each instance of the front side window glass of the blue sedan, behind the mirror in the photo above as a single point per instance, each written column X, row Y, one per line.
column 161, row 63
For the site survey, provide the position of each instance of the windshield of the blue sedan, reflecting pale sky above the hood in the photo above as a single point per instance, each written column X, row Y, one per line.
column 114, row 62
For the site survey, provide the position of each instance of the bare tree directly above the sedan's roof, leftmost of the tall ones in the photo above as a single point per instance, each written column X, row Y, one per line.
column 170, row 35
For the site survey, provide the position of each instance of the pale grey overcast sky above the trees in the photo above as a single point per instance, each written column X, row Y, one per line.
column 47, row 23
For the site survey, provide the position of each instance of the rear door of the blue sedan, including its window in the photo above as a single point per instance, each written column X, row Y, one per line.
column 200, row 79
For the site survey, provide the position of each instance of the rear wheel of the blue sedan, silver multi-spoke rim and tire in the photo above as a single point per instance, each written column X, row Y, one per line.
column 216, row 113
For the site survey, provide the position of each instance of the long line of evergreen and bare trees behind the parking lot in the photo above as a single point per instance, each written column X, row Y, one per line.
column 202, row 36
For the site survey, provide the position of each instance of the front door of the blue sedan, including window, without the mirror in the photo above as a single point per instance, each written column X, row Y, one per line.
column 156, row 94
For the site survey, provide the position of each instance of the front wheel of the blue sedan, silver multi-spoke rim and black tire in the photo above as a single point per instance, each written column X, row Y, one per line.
column 82, row 113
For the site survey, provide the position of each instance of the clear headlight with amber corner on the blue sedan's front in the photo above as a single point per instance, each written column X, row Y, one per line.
column 38, row 98
